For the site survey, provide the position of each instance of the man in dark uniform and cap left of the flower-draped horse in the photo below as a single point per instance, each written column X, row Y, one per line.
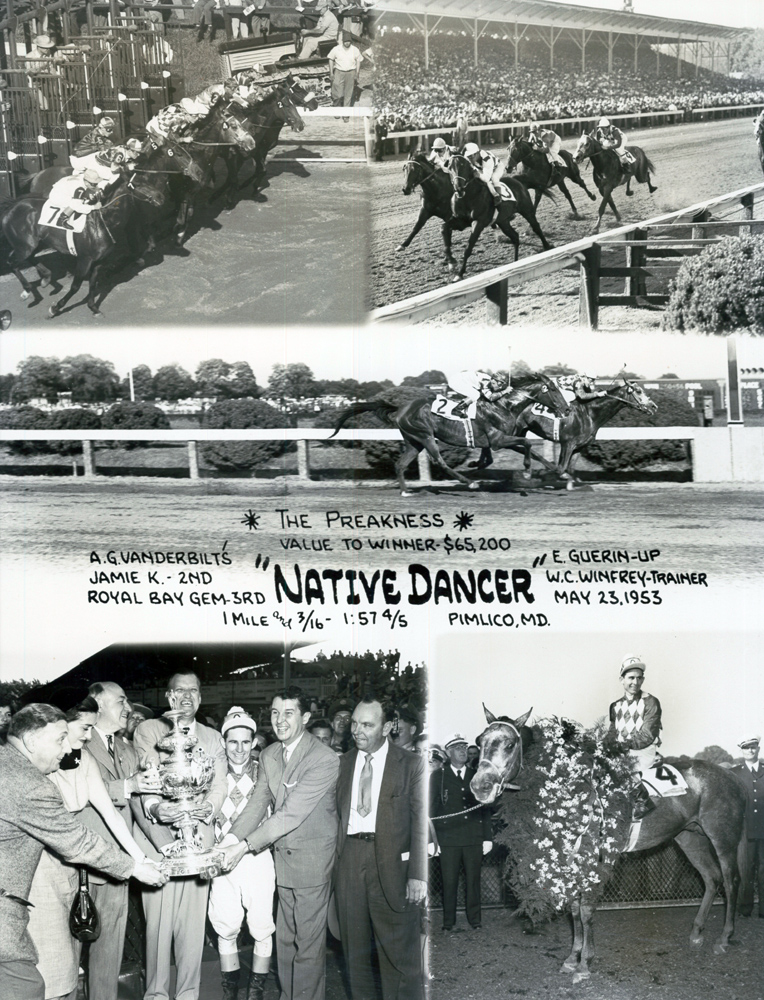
column 463, row 839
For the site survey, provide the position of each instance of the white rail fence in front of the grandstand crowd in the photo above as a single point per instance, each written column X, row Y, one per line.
column 502, row 132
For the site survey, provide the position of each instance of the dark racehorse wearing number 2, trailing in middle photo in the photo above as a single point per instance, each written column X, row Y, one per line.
column 493, row 427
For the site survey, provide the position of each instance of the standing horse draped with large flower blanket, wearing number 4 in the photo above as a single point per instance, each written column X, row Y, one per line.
column 707, row 822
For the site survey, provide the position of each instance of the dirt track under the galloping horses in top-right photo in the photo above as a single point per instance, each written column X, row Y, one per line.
column 693, row 162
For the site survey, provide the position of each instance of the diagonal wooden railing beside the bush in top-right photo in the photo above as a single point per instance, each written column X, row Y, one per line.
column 496, row 282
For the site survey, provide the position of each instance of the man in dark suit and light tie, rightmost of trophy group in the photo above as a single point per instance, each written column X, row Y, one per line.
column 381, row 872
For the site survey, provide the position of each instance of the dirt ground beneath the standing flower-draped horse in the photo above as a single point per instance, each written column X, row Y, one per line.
column 642, row 955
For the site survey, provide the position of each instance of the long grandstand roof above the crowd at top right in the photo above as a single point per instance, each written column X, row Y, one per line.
column 562, row 15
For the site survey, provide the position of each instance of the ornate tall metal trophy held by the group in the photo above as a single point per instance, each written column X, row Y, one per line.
column 186, row 774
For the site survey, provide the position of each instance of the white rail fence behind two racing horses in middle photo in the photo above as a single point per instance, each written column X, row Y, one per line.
column 719, row 454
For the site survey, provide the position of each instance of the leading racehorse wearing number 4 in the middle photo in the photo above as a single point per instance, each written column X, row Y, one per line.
column 580, row 426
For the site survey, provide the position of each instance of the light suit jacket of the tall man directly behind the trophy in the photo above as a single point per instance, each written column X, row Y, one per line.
column 151, row 836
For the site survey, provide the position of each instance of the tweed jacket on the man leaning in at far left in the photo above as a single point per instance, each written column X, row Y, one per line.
column 33, row 816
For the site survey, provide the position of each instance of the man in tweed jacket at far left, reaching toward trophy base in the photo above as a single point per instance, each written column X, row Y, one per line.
column 33, row 816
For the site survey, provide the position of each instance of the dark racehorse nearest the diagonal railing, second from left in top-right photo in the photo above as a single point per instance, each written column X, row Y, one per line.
column 472, row 205
